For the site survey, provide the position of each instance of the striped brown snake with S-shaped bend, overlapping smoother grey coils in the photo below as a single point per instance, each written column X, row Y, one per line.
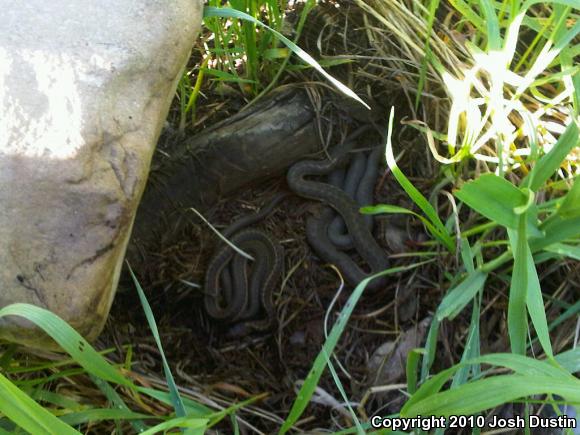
column 338, row 200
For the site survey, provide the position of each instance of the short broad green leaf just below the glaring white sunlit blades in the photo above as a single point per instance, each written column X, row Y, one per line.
column 494, row 198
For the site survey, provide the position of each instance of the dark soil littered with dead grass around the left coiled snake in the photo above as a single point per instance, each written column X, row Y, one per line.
column 204, row 355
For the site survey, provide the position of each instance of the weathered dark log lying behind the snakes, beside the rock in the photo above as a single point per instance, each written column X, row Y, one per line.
column 255, row 144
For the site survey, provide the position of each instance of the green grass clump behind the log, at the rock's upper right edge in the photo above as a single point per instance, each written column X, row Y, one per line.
column 241, row 49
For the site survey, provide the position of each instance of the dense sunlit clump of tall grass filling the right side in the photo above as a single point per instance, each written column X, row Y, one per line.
column 522, row 135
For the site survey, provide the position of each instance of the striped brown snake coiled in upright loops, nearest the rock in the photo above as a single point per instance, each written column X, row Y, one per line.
column 236, row 292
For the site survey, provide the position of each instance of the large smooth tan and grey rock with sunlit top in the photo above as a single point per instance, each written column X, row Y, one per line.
column 84, row 89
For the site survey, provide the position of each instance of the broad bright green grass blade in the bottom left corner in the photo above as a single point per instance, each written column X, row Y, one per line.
column 26, row 413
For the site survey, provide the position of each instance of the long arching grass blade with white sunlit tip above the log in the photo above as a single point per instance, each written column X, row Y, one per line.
column 232, row 13
